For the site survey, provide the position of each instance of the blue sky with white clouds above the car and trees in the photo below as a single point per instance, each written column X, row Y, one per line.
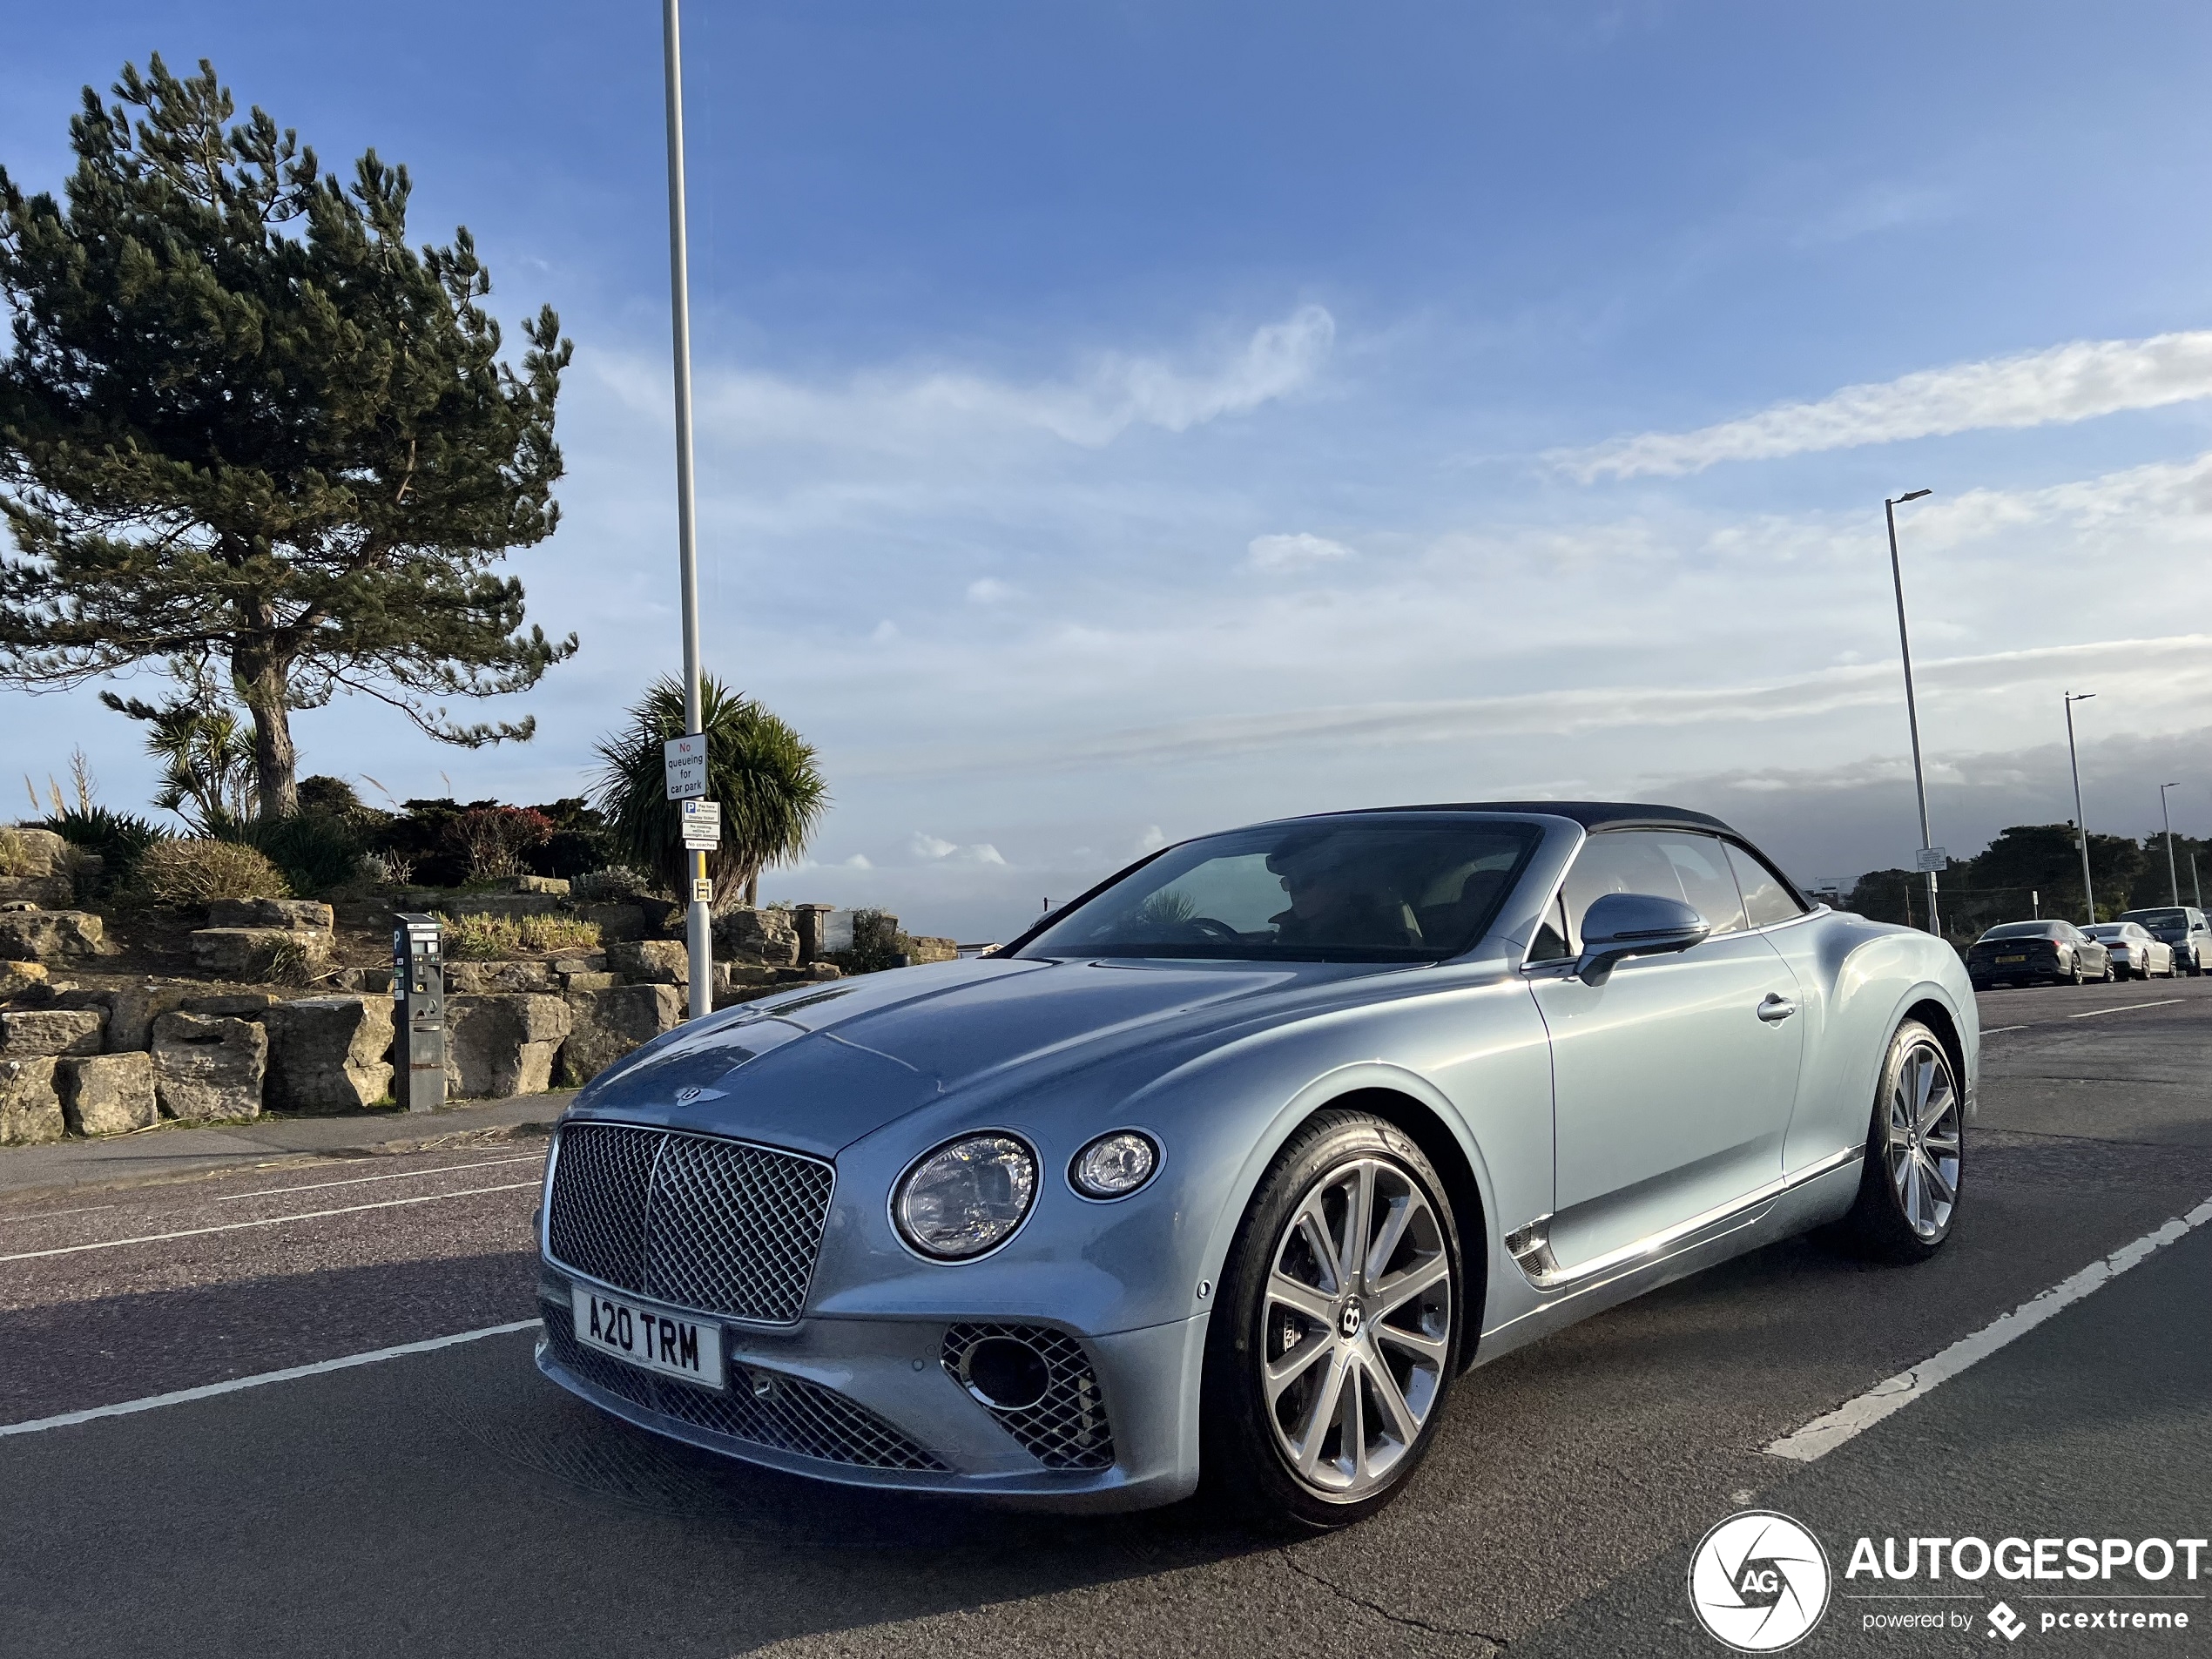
column 1127, row 421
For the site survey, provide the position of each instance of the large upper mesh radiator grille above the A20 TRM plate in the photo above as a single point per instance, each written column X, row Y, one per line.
column 689, row 1220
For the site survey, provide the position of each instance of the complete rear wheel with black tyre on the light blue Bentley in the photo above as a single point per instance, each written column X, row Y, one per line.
column 1910, row 1185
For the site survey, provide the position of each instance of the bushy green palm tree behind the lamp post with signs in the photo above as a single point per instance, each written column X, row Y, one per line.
column 762, row 773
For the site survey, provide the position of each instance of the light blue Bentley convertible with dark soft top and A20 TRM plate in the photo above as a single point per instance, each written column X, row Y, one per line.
column 1229, row 1169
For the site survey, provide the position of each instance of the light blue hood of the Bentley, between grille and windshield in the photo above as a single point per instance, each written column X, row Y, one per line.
column 822, row 1070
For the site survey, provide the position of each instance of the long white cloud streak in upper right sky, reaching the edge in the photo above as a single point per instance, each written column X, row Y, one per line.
column 2038, row 388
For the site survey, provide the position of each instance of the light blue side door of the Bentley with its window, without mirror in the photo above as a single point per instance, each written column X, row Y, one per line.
column 1673, row 1081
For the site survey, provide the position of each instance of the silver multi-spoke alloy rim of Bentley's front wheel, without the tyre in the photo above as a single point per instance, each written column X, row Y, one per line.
column 1357, row 1328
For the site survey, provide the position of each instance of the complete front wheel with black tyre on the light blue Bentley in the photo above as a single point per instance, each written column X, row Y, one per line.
column 1337, row 1335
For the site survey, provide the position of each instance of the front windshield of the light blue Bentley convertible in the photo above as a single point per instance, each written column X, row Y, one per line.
column 1361, row 890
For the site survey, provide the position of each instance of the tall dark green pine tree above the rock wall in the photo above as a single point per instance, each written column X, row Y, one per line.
column 244, row 424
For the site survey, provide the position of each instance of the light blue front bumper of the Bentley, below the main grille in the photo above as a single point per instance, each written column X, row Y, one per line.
column 873, row 1404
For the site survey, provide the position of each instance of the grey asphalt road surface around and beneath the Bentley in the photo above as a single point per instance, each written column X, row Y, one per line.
column 452, row 1503
